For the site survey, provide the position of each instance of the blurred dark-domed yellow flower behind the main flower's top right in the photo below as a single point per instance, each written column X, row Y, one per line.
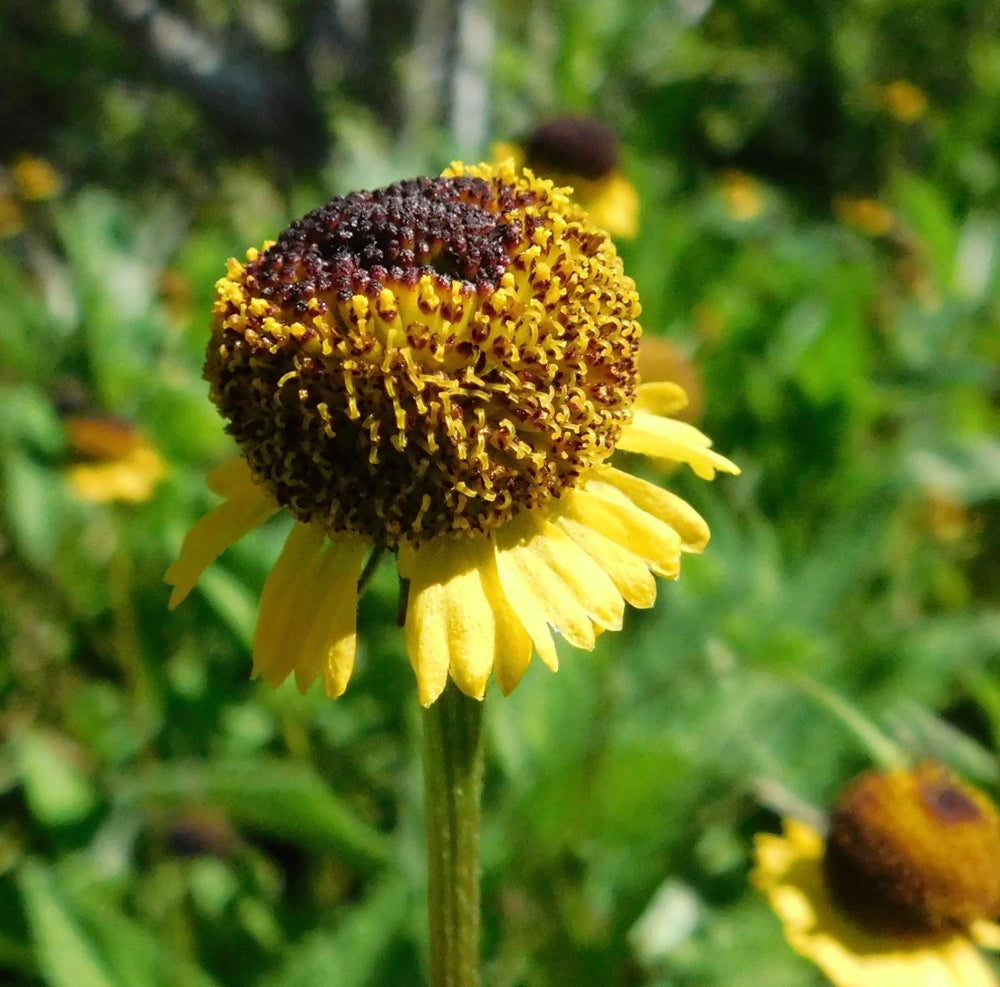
column 581, row 152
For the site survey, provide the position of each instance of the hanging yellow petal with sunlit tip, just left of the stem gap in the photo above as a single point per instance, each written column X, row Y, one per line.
column 328, row 633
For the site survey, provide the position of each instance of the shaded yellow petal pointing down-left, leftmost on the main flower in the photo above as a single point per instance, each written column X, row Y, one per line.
column 247, row 506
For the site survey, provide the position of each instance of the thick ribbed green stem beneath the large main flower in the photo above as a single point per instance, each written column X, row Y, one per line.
column 453, row 780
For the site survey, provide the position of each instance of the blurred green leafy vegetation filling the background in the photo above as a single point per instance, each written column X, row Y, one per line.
column 817, row 253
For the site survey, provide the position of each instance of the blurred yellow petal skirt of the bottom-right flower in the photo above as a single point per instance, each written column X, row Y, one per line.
column 789, row 871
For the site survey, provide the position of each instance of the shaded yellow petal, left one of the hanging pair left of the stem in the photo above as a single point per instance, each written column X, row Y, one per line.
column 284, row 604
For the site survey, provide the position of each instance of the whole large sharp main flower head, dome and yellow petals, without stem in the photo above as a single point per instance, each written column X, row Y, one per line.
column 442, row 368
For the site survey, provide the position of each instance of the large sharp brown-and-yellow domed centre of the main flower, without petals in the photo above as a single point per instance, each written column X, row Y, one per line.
column 430, row 358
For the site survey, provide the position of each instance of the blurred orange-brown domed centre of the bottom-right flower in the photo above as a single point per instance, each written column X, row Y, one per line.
column 914, row 851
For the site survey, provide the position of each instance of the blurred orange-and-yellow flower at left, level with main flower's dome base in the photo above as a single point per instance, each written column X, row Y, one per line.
column 123, row 464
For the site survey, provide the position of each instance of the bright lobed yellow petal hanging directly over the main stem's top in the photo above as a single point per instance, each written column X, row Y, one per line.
column 450, row 624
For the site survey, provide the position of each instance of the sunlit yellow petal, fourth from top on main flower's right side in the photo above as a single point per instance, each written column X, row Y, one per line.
column 617, row 518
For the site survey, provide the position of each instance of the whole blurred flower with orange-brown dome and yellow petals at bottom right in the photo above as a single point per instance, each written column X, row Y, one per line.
column 900, row 891
